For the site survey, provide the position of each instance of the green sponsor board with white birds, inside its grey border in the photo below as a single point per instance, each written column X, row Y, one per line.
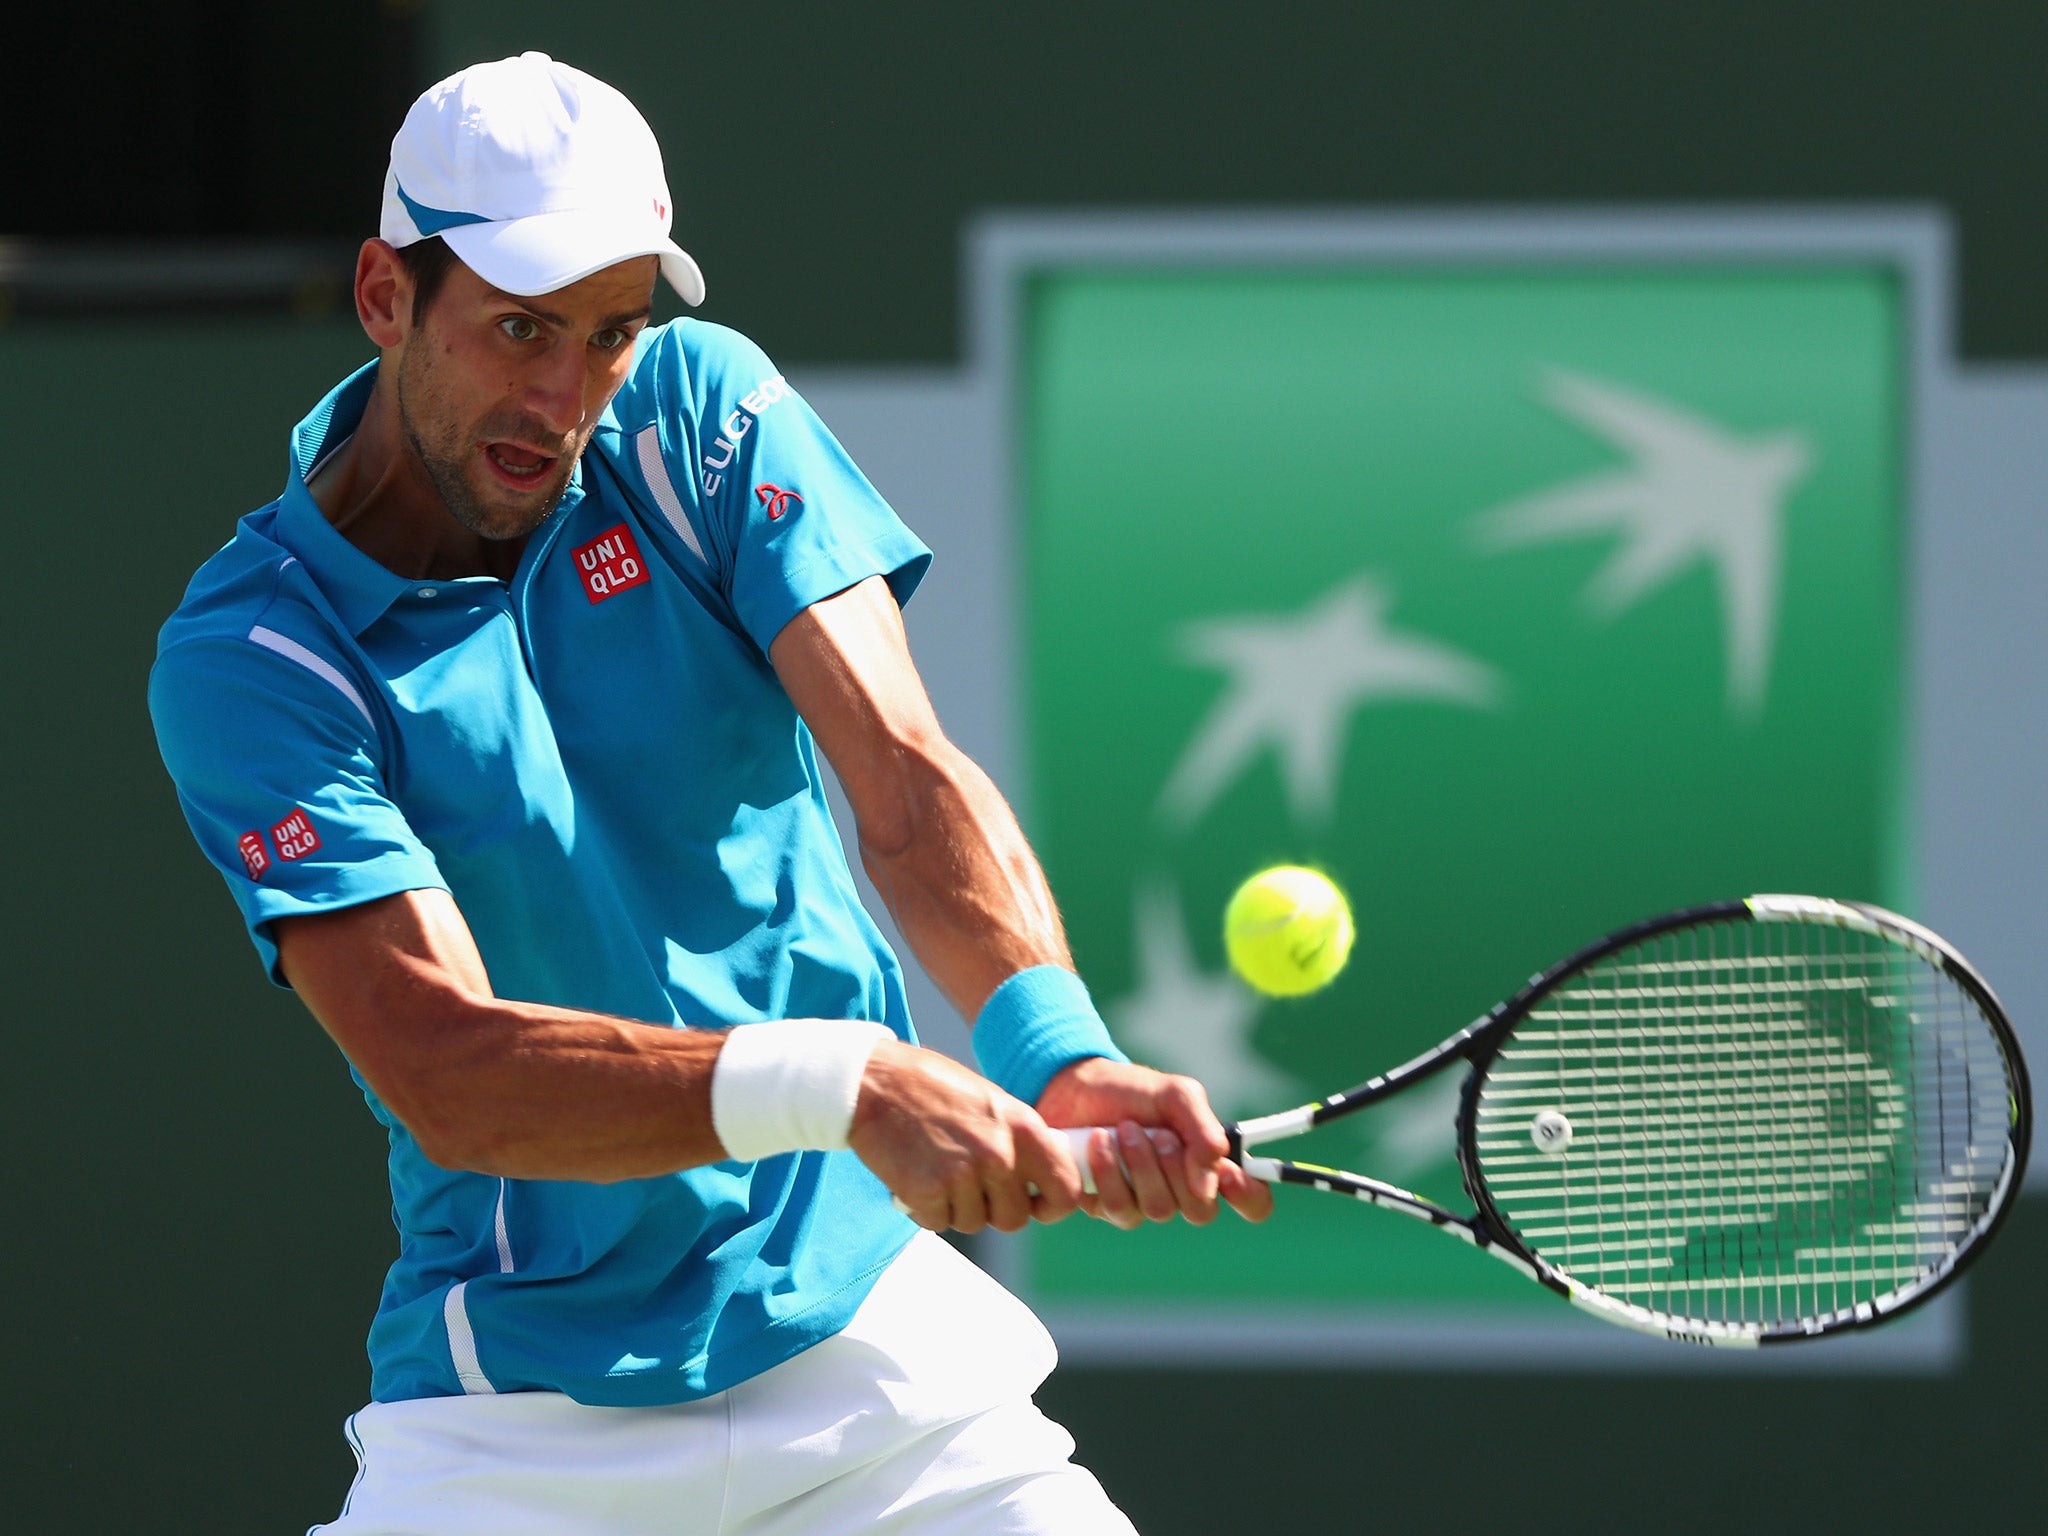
column 1525, row 601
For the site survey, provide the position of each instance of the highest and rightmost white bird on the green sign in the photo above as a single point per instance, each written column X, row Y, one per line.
column 1691, row 493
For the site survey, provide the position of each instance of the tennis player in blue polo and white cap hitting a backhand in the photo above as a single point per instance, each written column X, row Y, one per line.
column 501, row 724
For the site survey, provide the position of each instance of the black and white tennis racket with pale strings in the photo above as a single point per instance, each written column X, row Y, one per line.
column 1738, row 1125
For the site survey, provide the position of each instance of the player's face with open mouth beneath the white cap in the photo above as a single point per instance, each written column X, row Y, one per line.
column 499, row 394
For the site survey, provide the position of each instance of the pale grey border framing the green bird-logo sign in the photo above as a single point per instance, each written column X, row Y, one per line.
column 1007, row 251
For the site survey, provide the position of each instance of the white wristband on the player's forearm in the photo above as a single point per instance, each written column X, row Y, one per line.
column 790, row 1084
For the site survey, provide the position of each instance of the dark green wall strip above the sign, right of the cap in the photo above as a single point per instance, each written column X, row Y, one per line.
column 824, row 157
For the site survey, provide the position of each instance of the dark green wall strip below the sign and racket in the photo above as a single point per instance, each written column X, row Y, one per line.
column 1191, row 1451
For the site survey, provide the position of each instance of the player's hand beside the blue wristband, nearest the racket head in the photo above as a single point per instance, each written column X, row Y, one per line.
column 1170, row 1146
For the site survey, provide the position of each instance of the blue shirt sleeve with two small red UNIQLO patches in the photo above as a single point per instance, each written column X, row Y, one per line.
column 280, row 771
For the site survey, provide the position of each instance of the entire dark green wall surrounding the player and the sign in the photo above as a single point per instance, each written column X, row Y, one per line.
column 196, row 1220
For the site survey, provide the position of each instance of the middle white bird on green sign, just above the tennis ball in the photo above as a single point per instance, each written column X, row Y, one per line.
column 1295, row 681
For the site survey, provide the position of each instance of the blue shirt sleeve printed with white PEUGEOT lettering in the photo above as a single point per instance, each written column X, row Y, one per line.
column 790, row 515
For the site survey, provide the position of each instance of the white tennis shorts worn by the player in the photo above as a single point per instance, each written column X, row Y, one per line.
column 916, row 1418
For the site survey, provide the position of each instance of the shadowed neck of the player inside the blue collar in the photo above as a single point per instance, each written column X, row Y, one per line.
column 380, row 499
